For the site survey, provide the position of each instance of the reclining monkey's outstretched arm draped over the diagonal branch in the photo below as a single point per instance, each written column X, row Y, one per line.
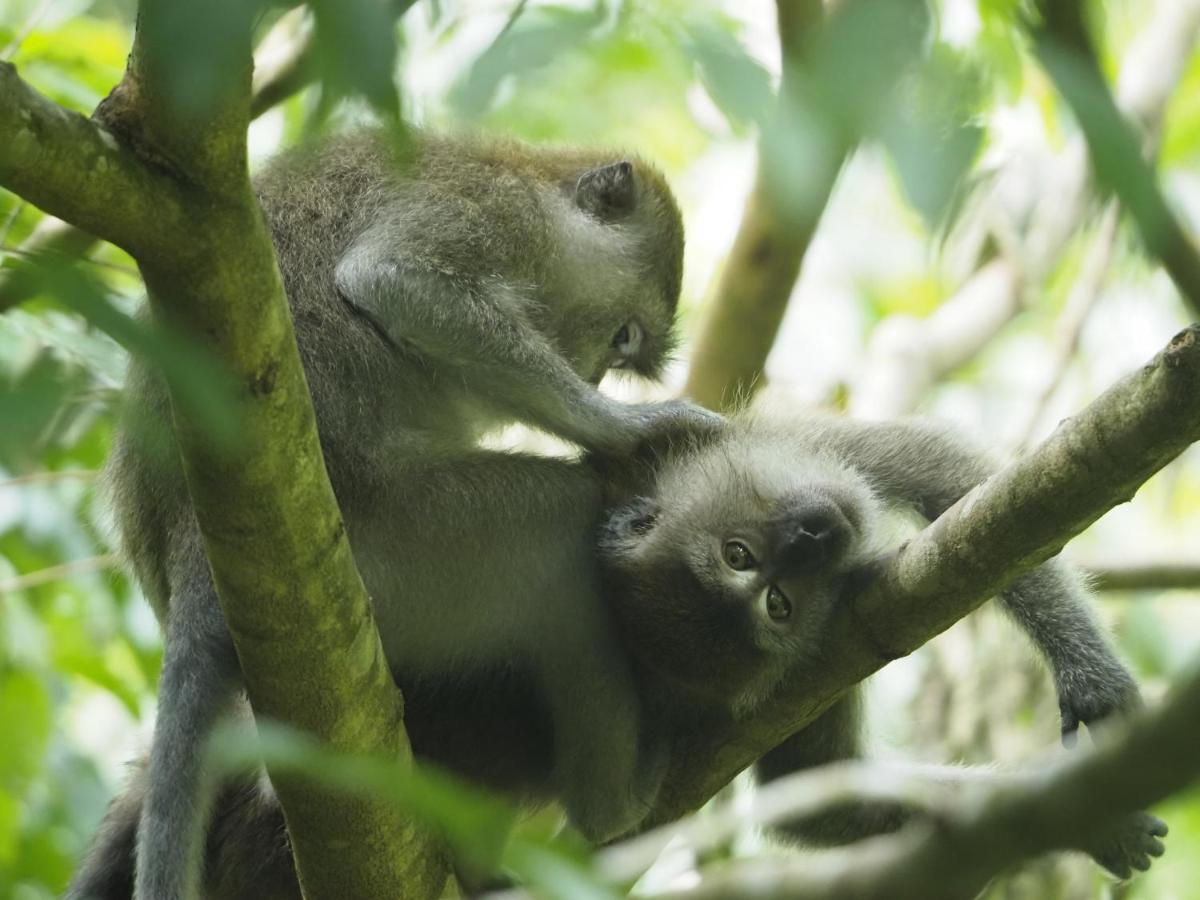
column 932, row 469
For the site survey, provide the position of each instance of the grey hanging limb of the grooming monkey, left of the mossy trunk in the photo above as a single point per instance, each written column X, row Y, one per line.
column 200, row 682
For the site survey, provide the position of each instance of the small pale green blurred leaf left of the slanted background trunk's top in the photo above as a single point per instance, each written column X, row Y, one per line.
column 736, row 82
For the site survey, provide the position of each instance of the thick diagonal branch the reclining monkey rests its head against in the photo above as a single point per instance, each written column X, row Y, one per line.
column 1015, row 521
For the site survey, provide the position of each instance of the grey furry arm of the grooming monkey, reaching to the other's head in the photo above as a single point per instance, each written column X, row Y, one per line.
column 481, row 332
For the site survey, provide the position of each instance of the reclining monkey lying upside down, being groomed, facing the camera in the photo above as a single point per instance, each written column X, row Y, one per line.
column 719, row 559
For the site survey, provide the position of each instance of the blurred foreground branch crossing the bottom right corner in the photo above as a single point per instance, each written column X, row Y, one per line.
column 1011, row 819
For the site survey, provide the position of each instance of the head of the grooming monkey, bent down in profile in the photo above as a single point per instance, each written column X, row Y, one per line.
column 626, row 247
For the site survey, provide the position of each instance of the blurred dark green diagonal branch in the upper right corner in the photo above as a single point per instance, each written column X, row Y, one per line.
column 1065, row 50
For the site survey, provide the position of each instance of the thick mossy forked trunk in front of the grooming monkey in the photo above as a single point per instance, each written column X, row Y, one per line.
column 170, row 148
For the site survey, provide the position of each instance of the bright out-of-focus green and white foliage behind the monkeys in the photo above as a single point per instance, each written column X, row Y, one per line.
column 965, row 179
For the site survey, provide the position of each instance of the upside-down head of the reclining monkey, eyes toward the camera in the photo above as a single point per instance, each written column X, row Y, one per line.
column 724, row 573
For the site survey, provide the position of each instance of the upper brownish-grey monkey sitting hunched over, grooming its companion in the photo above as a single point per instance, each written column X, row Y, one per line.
column 440, row 287
